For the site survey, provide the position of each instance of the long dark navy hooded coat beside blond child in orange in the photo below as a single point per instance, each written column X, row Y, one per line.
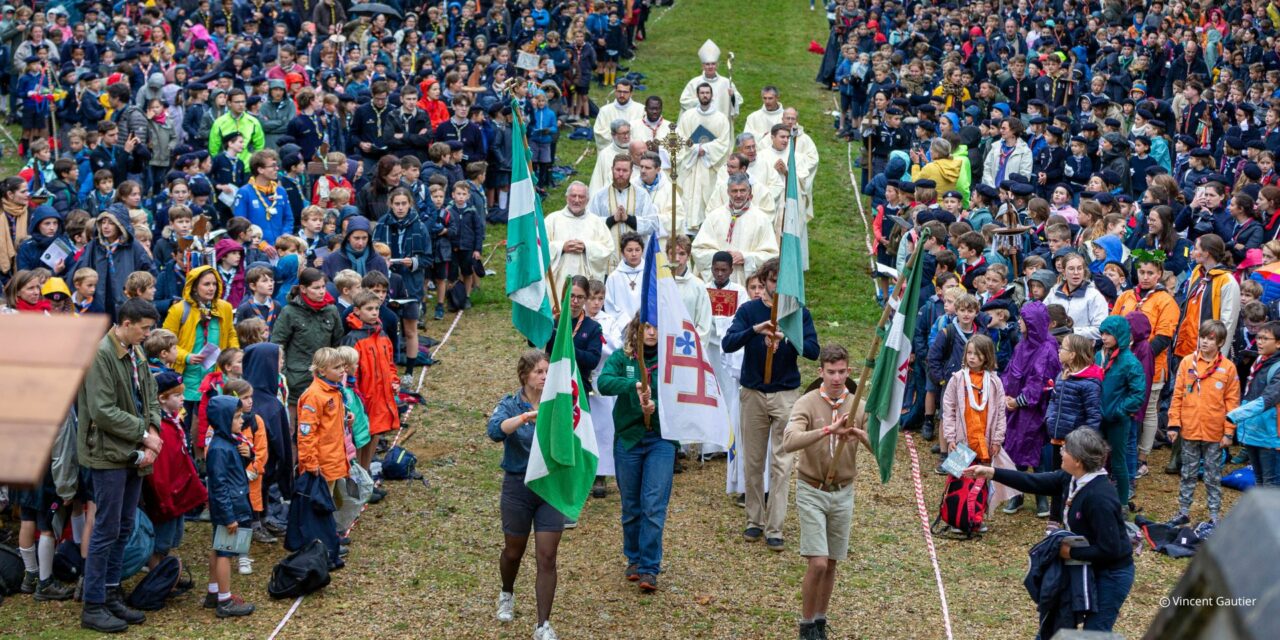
column 263, row 372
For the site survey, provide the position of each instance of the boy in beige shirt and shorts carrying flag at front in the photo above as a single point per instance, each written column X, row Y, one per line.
column 820, row 422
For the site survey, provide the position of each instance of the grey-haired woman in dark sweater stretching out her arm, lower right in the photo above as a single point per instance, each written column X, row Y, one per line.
column 1094, row 511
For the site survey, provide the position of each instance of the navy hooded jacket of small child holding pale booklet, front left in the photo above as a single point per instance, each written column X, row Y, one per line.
column 228, row 484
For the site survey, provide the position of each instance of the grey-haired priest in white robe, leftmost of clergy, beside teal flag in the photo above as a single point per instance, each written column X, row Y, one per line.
column 579, row 244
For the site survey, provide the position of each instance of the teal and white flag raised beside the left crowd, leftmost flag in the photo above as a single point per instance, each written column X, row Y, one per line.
column 528, row 257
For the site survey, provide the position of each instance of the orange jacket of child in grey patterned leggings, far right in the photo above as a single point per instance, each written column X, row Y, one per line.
column 1200, row 408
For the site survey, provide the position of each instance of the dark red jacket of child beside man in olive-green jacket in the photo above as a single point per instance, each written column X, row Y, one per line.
column 172, row 488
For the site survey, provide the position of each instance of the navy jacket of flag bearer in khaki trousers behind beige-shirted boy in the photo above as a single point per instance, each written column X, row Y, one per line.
column 742, row 336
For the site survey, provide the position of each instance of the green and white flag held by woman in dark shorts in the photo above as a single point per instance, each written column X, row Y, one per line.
column 564, row 456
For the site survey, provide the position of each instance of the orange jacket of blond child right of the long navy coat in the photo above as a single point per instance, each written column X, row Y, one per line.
column 321, row 431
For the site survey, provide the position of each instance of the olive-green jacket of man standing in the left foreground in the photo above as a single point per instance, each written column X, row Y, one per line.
column 111, row 424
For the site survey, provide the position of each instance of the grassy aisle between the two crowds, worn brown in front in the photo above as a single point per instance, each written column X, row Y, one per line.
column 424, row 563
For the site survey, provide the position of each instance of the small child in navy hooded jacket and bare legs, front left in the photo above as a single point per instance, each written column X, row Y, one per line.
column 228, row 499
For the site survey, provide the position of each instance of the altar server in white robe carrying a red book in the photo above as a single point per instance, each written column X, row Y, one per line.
column 725, row 296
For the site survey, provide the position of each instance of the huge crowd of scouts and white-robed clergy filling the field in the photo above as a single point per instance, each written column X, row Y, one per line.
column 273, row 200
